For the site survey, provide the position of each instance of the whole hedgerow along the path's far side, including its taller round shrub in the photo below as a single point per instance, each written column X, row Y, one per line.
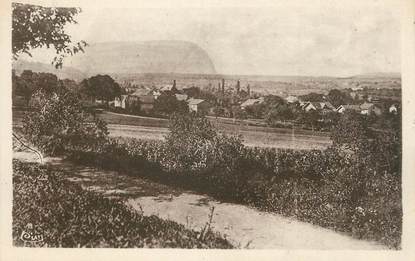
column 337, row 188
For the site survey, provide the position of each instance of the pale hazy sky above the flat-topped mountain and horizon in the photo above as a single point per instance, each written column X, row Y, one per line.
column 299, row 38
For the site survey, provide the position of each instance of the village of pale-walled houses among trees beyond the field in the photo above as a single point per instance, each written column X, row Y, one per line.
column 362, row 100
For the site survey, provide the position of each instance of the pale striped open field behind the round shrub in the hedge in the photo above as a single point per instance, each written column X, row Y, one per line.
column 153, row 128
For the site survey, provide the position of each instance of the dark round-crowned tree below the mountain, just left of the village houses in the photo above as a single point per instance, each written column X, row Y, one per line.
column 101, row 87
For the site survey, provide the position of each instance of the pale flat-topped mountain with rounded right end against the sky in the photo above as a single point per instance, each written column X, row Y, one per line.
column 143, row 57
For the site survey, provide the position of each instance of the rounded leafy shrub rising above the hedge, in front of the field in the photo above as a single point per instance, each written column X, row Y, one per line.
column 193, row 144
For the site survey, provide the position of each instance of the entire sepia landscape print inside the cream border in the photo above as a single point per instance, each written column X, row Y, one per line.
column 207, row 126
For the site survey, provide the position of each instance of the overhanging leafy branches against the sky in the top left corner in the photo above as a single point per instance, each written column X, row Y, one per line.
column 36, row 27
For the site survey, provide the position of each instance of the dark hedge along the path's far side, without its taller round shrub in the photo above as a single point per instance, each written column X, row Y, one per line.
column 327, row 188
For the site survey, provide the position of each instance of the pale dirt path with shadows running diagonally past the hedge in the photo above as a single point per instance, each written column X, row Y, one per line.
column 243, row 226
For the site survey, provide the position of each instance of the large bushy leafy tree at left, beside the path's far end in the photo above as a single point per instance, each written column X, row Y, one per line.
column 56, row 124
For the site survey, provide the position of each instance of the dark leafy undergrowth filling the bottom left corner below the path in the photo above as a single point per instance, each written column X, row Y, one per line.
column 69, row 216
